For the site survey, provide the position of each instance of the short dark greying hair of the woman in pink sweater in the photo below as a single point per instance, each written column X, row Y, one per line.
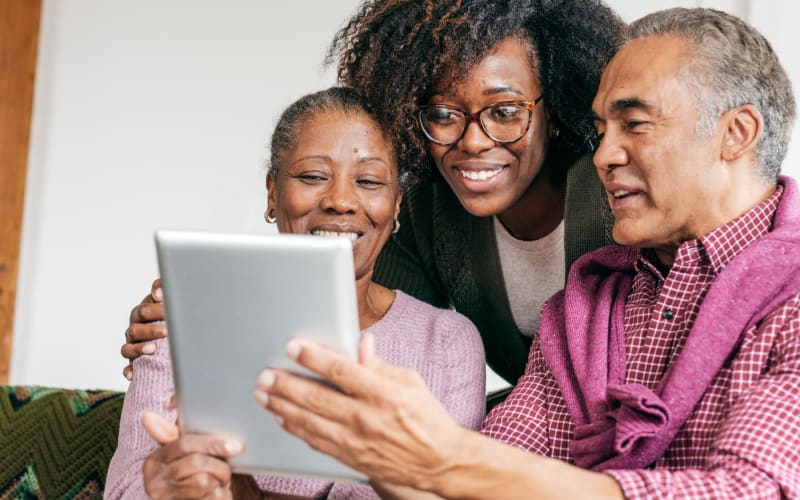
column 346, row 101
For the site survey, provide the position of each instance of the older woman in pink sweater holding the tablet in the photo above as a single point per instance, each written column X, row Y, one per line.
column 333, row 173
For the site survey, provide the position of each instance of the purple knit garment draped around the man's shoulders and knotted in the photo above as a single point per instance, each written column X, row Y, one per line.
column 582, row 337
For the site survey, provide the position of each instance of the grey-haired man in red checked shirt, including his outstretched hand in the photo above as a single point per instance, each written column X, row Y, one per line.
column 668, row 367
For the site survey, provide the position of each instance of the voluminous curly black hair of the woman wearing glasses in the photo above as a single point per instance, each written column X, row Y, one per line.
column 396, row 52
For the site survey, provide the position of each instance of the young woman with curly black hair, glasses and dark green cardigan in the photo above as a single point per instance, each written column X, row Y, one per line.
column 490, row 105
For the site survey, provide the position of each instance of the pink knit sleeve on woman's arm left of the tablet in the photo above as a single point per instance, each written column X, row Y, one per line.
column 150, row 389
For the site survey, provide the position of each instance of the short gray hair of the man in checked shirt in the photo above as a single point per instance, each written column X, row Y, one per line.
column 735, row 66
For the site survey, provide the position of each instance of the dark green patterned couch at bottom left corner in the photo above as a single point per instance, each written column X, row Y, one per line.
column 56, row 443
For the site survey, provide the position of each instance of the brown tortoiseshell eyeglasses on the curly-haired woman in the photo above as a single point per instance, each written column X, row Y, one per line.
column 505, row 121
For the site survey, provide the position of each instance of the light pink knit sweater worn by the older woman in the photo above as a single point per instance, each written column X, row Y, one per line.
column 441, row 345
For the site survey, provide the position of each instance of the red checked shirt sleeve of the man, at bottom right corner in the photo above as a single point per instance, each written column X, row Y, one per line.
column 756, row 453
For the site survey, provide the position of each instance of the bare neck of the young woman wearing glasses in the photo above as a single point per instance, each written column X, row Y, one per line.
column 539, row 211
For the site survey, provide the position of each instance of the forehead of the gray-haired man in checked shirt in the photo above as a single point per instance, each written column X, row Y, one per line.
column 645, row 70
